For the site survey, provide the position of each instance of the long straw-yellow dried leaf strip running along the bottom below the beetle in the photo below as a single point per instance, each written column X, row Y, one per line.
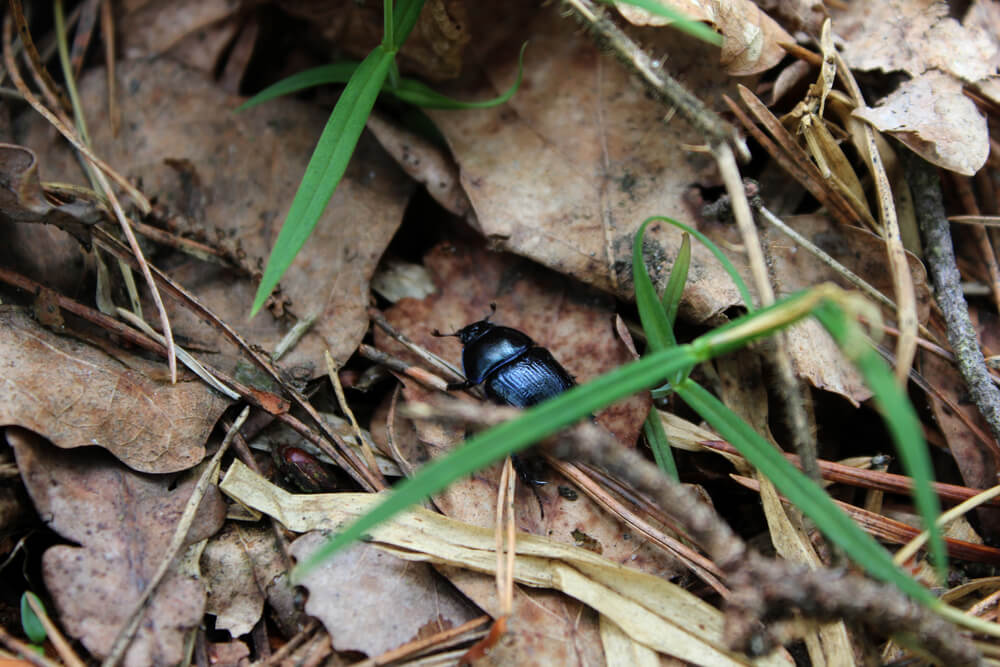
column 651, row 610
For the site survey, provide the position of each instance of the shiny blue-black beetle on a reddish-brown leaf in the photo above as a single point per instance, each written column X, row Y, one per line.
column 512, row 368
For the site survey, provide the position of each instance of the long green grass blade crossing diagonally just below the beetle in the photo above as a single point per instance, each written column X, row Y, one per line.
column 495, row 443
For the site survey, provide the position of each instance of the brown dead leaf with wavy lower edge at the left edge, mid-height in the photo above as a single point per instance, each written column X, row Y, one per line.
column 76, row 395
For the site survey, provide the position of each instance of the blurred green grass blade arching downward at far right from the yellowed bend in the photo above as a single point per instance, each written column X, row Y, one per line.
column 902, row 422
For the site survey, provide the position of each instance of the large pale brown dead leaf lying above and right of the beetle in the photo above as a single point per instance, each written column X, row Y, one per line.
column 567, row 170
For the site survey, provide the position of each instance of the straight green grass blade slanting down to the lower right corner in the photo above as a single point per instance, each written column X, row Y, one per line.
column 801, row 491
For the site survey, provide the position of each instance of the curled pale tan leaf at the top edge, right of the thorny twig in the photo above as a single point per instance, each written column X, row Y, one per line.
column 752, row 38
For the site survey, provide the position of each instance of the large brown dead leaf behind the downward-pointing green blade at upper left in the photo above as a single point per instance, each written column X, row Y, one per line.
column 231, row 178
